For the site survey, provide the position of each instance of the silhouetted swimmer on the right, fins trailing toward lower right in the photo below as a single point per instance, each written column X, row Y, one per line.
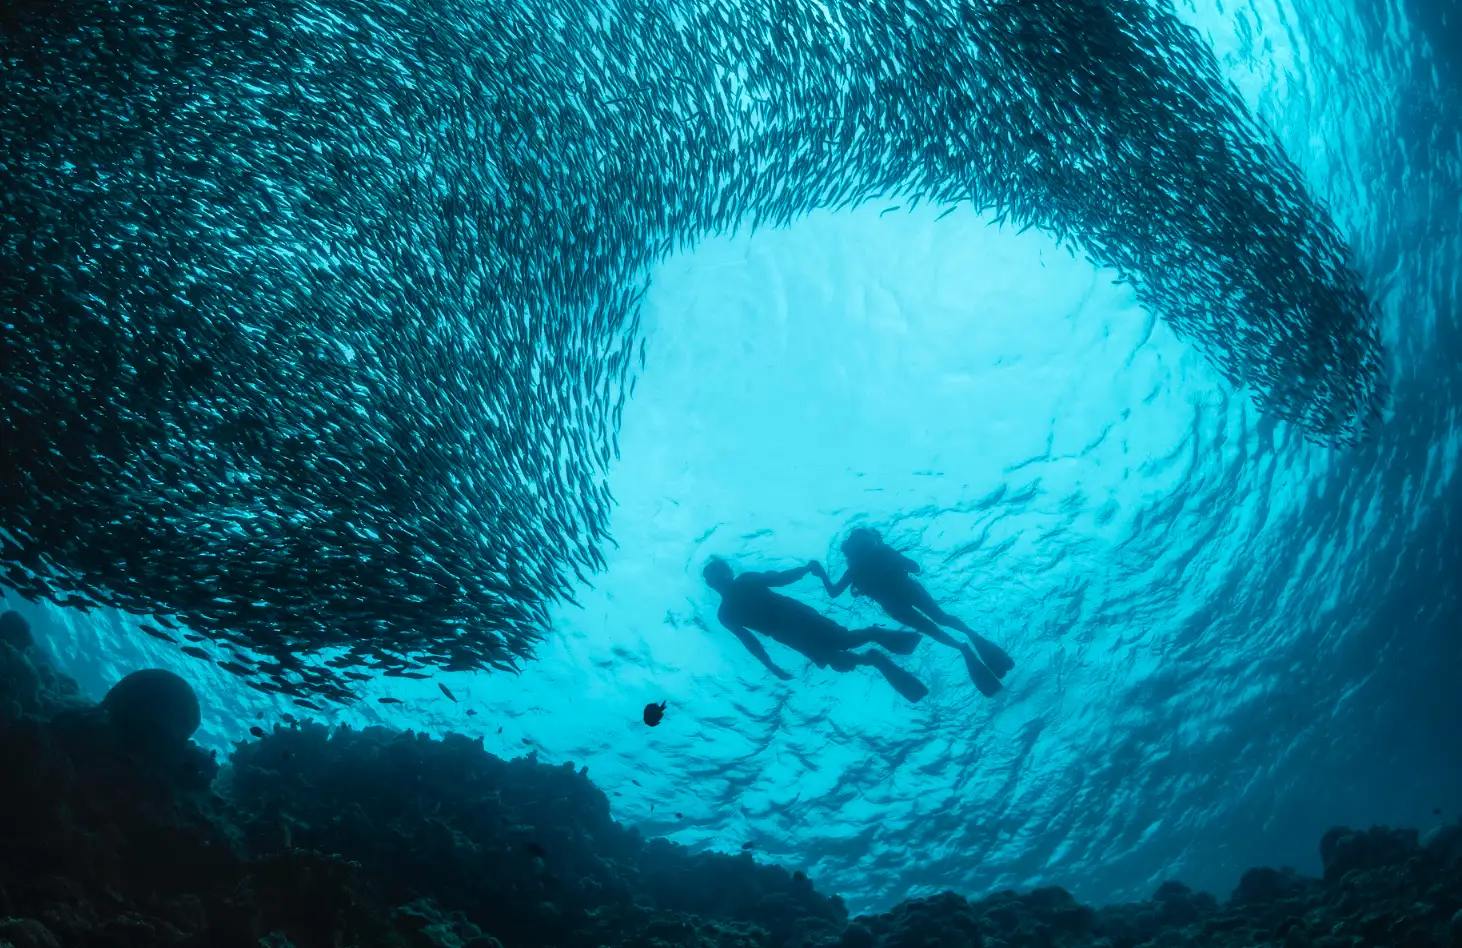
column 885, row 576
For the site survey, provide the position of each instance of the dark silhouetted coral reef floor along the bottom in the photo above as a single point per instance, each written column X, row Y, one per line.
column 116, row 832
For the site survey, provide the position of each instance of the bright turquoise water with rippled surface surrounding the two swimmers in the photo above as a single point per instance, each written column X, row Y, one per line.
column 1227, row 639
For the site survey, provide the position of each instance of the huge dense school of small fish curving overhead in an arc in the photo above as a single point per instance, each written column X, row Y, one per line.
column 321, row 315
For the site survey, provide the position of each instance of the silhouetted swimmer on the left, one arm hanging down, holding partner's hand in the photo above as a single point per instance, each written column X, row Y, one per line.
column 748, row 605
